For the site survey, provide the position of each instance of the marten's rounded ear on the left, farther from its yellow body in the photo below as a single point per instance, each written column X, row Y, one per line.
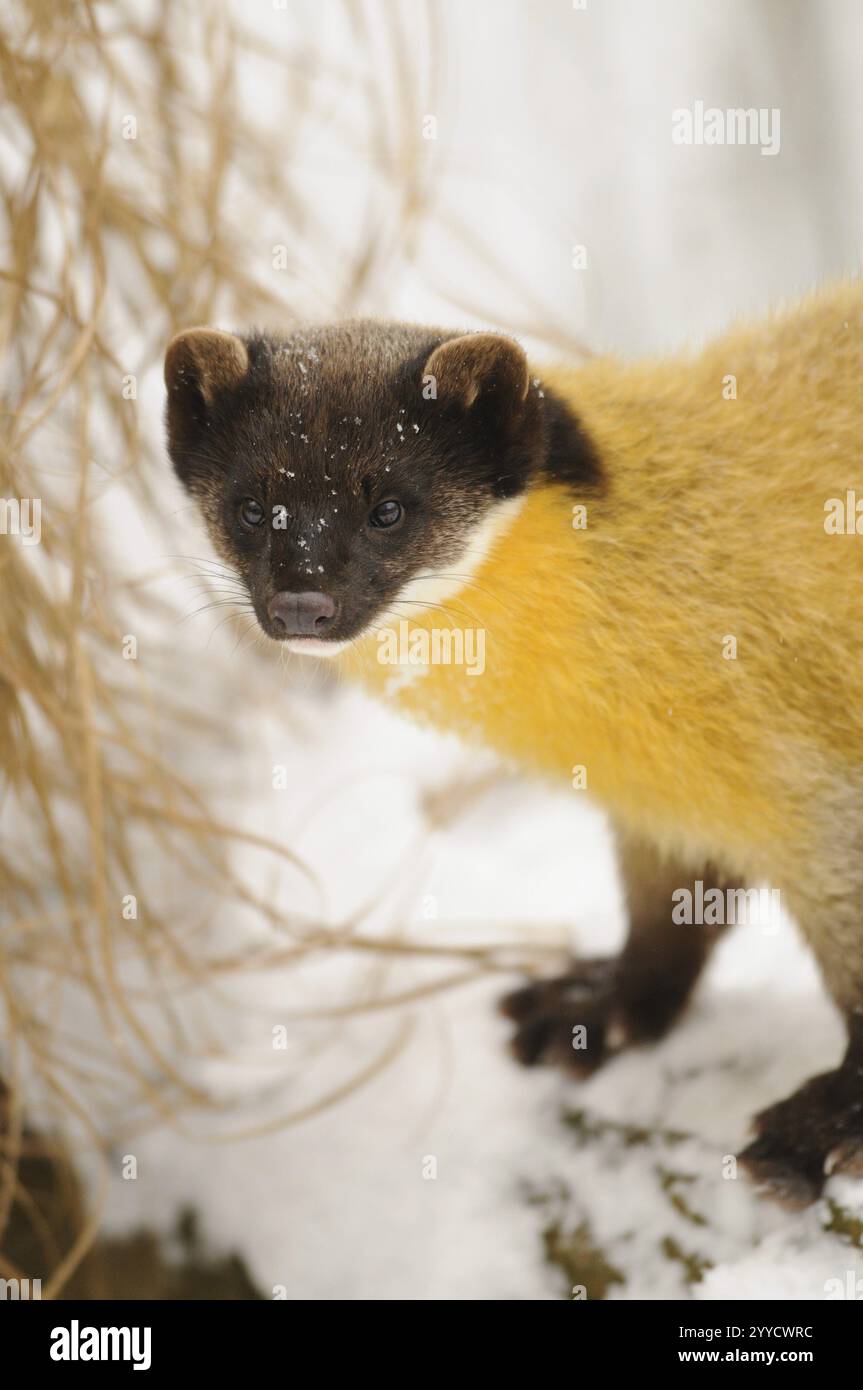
column 199, row 365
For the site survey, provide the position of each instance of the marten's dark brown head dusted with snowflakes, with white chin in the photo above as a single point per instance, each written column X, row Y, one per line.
column 348, row 471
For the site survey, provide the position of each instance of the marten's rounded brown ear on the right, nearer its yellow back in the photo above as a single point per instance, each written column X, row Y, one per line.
column 482, row 372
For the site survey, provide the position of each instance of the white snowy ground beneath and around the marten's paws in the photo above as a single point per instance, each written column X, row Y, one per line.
column 338, row 1207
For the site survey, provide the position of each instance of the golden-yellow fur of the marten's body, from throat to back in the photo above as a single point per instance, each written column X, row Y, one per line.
column 696, row 647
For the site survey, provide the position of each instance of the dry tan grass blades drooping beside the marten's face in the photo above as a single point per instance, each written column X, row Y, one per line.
column 112, row 244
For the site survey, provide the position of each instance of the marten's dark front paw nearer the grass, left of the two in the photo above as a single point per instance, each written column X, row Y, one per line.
column 575, row 1021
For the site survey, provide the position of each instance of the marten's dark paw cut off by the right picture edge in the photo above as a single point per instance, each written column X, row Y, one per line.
column 801, row 1142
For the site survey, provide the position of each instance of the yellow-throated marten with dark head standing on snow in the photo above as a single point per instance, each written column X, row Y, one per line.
column 666, row 561
